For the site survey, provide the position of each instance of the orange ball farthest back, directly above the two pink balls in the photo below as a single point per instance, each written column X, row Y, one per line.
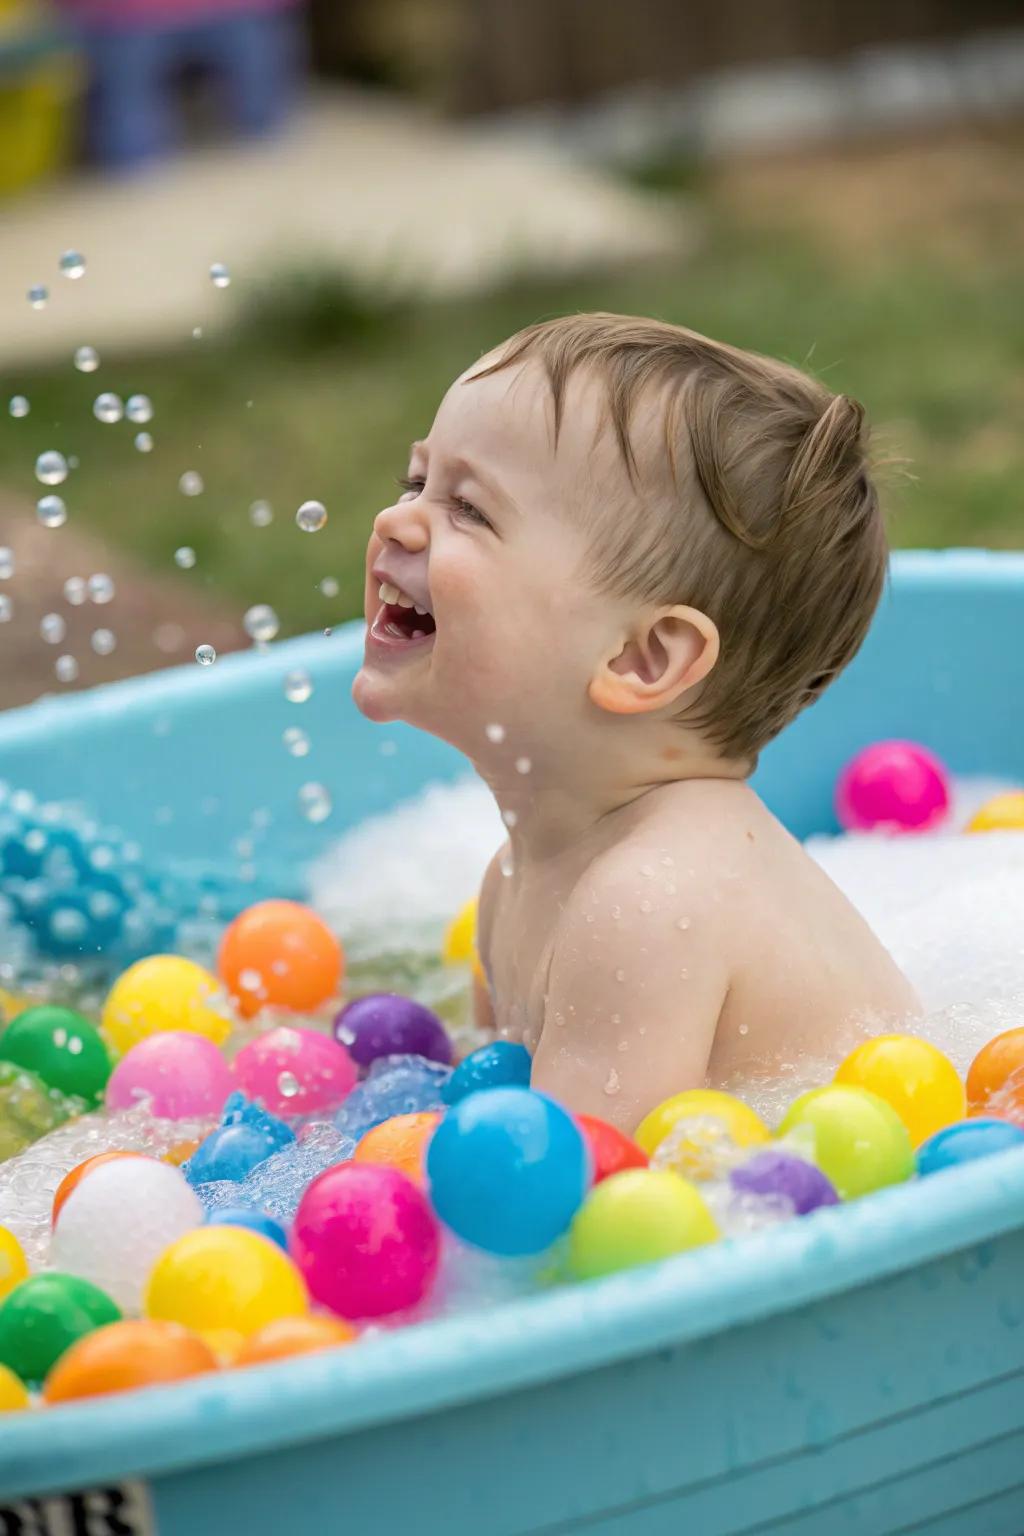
column 279, row 955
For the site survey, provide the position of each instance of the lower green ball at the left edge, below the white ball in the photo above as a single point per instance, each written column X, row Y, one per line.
column 44, row 1317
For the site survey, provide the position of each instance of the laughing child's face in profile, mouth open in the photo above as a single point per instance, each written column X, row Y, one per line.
column 489, row 541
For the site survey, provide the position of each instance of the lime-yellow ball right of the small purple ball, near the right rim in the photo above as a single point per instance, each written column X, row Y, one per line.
column 854, row 1136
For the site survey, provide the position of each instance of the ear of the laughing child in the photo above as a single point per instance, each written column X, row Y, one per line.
column 667, row 655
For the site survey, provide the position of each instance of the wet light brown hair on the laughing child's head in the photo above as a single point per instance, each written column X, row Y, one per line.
column 761, row 511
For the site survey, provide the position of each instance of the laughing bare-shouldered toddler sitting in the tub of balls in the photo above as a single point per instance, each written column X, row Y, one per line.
column 624, row 558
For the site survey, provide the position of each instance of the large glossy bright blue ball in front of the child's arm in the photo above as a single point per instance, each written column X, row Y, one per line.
column 509, row 1171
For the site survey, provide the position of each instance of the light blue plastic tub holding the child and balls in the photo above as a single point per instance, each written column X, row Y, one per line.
column 857, row 1372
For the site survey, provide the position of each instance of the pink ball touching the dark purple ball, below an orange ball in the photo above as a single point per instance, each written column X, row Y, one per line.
column 296, row 1071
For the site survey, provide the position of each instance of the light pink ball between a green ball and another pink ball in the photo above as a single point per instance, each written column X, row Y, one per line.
column 180, row 1074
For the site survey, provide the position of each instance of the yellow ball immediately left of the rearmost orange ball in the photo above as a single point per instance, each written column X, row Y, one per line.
column 164, row 993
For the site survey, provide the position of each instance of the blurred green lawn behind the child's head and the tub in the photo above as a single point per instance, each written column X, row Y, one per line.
column 319, row 394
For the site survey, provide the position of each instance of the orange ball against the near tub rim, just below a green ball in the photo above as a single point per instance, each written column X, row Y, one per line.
column 127, row 1356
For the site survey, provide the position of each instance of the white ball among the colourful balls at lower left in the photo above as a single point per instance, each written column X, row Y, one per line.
column 117, row 1223
